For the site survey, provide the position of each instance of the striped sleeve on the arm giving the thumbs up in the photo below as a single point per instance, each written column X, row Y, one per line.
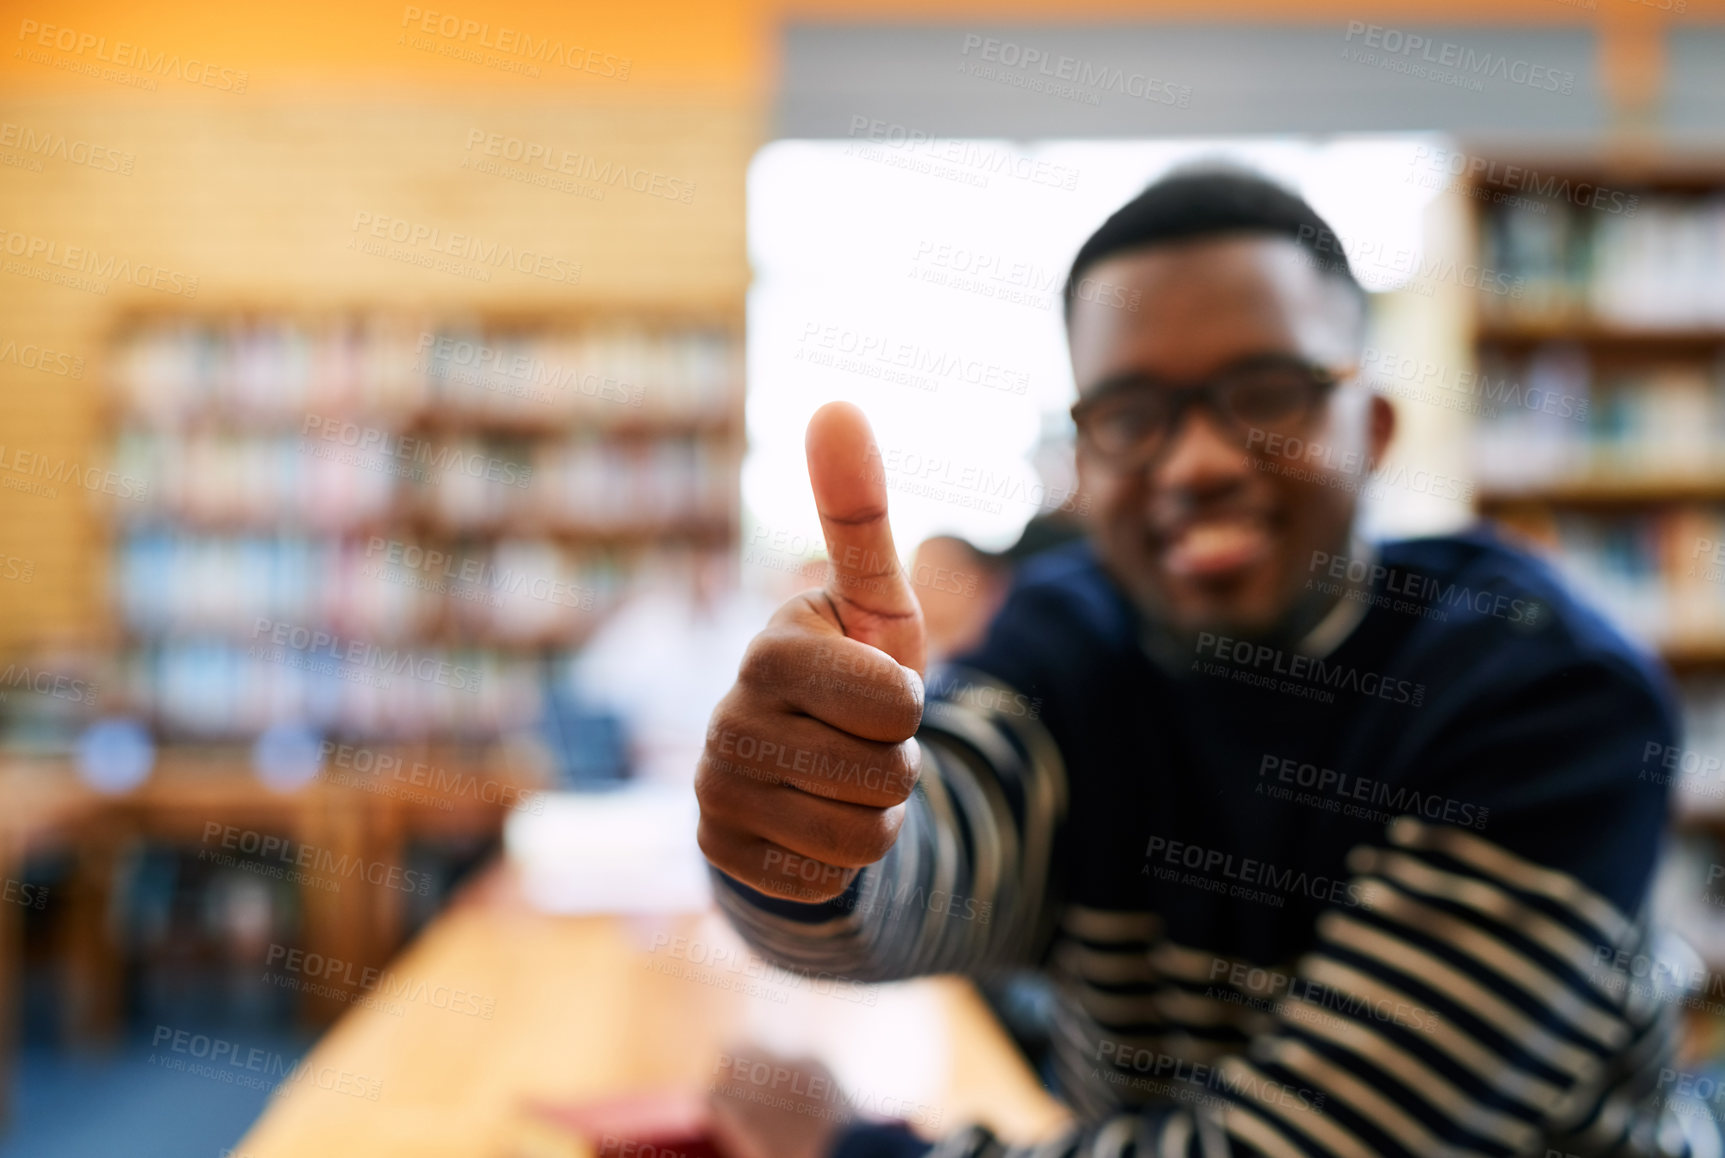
column 969, row 884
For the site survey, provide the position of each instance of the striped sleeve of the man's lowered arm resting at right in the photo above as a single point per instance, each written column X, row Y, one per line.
column 1458, row 1009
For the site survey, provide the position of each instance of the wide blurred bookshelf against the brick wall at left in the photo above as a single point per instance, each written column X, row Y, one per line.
column 458, row 496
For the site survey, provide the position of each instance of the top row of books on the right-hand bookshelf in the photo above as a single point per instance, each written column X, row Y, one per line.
column 1647, row 261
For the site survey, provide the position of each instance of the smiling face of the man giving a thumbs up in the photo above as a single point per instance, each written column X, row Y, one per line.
column 1219, row 529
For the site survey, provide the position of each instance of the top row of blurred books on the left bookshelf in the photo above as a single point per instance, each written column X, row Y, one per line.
column 268, row 372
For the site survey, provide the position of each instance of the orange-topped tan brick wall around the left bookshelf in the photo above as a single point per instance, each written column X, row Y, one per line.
column 254, row 192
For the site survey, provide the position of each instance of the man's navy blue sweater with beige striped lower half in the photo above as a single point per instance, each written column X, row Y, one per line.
column 1364, row 897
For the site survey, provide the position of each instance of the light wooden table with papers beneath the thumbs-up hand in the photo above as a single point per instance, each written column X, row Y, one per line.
column 606, row 1005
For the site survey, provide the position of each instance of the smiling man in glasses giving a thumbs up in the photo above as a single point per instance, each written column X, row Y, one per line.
column 1329, row 850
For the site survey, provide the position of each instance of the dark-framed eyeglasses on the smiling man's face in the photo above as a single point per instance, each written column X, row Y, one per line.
column 1129, row 420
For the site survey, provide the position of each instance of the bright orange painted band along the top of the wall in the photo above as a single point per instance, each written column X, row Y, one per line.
column 675, row 46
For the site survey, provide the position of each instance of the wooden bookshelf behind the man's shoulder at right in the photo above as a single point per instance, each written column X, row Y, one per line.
column 1602, row 437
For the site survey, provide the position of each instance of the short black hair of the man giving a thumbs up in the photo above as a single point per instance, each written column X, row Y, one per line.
column 1214, row 201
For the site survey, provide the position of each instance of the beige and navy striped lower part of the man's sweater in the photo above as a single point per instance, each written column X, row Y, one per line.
column 1458, row 1010
